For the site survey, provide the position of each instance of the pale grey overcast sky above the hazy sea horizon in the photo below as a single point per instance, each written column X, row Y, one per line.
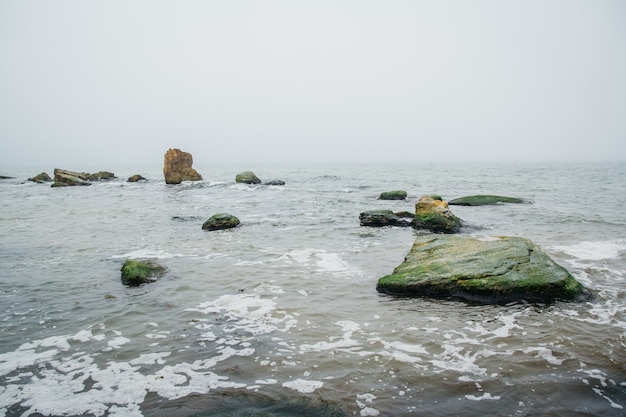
column 120, row 82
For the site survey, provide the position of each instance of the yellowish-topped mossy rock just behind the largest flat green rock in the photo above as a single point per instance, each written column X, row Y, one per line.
column 435, row 216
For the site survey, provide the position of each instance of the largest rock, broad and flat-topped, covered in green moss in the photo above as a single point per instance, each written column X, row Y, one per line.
column 490, row 270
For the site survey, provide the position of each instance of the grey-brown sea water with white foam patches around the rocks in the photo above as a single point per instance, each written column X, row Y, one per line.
column 280, row 316
